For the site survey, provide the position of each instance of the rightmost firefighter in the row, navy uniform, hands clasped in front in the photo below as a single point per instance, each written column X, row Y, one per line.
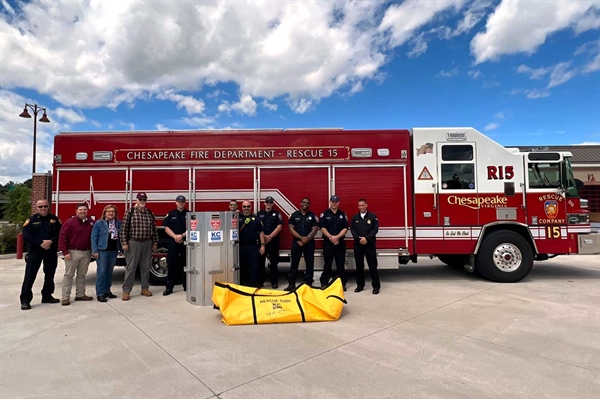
column 364, row 228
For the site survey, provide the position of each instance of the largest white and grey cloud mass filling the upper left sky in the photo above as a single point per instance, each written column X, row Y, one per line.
column 97, row 53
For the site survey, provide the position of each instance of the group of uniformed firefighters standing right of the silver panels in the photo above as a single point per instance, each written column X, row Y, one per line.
column 259, row 238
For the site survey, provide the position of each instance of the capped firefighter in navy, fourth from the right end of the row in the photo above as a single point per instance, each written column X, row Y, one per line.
column 272, row 224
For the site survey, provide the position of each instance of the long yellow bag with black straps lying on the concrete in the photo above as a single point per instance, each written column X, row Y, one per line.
column 247, row 305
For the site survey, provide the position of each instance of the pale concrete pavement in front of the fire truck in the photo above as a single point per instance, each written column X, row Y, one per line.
column 433, row 331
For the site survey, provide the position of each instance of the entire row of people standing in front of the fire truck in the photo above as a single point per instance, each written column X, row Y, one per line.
column 80, row 238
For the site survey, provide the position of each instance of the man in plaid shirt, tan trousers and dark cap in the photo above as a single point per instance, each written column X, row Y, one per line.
column 139, row 238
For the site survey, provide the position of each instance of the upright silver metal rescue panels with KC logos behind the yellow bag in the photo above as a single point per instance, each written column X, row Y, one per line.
column 212, row 253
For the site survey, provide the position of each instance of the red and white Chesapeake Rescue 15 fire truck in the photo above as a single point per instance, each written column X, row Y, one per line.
column 452, row 193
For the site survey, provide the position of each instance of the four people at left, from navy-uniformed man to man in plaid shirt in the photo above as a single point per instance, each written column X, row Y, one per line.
column 79, row 239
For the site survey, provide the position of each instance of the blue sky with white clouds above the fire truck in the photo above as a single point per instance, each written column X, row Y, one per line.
column 524, row 72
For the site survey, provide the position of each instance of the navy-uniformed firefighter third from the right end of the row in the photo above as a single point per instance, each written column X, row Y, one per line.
column 303, row 228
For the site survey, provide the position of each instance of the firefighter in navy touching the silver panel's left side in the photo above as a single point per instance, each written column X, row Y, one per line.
column 175, row 227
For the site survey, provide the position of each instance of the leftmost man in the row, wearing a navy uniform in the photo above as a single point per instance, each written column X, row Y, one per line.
column 40, row 232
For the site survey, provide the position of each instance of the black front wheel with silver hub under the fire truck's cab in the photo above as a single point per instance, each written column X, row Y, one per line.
column 505, row 257
